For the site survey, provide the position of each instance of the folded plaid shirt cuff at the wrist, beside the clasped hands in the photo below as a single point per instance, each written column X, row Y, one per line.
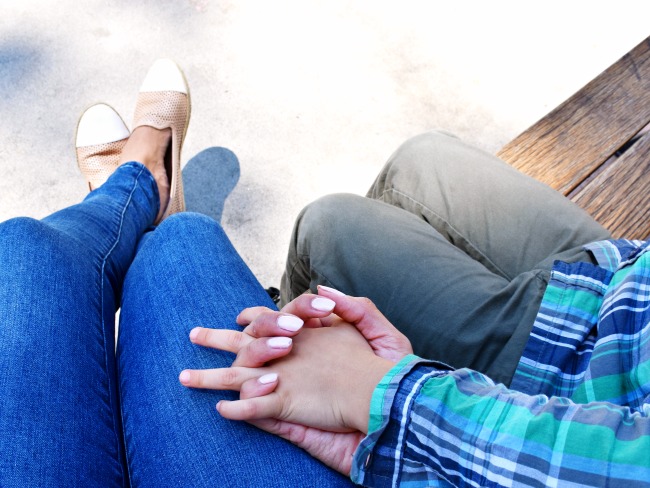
column 377, row 459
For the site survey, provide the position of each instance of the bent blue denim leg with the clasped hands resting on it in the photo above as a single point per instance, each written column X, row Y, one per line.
column 187, row 274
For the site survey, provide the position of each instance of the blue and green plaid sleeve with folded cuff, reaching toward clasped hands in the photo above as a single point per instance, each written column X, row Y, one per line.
column 457, row 428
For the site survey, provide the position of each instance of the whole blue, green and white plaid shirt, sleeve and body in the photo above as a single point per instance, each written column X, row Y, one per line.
column 578, row 409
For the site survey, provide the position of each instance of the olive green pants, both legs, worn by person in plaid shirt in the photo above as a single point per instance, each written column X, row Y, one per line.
column 452, row 244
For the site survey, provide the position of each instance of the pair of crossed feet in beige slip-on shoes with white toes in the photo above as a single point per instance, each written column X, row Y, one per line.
column 162, row 114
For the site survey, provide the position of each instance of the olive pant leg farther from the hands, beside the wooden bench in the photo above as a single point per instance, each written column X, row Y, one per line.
column 504, row 219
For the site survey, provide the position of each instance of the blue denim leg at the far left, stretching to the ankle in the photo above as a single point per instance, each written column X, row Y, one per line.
column 59, row 421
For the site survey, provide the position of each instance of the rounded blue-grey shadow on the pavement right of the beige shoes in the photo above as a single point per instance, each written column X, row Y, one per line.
column 208, row 178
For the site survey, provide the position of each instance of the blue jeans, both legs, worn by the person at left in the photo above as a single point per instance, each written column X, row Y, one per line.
column 75, row 412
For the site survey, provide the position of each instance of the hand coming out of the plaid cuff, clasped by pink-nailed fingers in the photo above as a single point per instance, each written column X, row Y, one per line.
column 326, row 382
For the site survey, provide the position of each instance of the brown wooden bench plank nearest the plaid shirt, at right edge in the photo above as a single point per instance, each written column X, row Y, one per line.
column 619, row 196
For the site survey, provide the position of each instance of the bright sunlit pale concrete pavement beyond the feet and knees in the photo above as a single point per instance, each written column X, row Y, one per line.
column 291, row 99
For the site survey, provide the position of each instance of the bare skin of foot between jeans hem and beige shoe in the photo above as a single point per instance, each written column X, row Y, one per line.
column 149, row 146
